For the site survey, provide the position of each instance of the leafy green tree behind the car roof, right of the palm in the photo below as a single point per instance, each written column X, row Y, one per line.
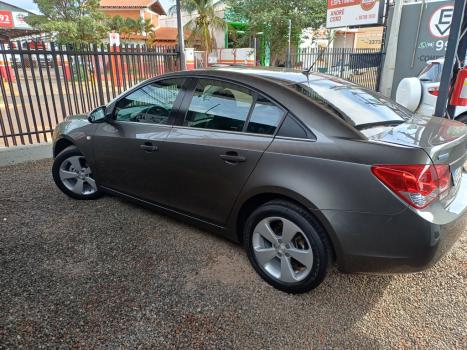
column 271, row 19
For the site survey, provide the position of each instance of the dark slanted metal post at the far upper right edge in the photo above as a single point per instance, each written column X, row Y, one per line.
column 455, row 53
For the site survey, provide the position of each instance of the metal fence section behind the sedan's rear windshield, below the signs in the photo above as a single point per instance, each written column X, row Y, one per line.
column 360, row 66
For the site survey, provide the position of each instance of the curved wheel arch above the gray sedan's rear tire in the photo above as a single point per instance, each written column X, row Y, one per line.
column 254, row 200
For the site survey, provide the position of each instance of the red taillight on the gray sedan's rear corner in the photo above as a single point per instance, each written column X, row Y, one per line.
column 418, row 184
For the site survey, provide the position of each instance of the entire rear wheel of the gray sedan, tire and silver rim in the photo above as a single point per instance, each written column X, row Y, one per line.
column 287, row 247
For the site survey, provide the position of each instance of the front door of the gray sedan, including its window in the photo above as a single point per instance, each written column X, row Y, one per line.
column 130, row 151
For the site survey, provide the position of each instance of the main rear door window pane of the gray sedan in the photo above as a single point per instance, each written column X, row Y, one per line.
column 219, row 106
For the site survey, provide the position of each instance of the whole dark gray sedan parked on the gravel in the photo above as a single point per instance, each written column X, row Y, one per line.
column 304, row 170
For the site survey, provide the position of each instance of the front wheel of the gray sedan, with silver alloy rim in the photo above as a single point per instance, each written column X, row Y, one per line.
column 73, row 175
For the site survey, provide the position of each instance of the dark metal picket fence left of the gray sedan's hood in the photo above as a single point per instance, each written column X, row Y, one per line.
column 42, row 83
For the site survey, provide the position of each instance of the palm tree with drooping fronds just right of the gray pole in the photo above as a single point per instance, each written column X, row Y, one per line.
column 203, row 24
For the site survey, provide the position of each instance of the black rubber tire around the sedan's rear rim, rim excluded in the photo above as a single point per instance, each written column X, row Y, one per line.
column 318, row 240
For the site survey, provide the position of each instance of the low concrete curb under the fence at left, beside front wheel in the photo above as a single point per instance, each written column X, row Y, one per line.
column 20, row 154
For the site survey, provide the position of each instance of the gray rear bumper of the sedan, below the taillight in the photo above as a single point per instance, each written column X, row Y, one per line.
column 408, row 241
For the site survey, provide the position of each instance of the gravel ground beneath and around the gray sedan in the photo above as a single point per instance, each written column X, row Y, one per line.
column 109, row 274
